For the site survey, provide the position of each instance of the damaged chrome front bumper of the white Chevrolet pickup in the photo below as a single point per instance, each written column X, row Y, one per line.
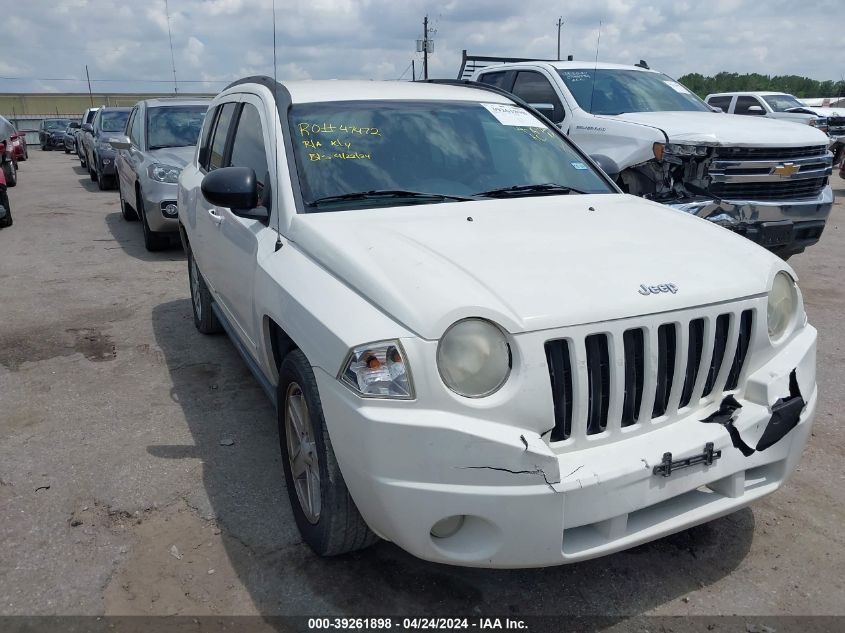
column 784, row 227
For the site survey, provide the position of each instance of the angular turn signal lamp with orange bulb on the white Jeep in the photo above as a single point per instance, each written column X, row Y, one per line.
column 378, row 370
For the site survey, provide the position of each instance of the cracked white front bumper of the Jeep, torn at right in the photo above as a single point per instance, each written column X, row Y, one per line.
column 524, row 503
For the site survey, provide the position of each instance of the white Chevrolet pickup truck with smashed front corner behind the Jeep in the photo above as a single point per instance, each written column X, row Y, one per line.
column 764, row 179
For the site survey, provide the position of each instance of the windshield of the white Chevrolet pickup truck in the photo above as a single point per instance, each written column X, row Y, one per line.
column 616, row 91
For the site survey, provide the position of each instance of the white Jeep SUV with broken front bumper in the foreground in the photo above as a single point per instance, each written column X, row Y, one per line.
column 479, row 348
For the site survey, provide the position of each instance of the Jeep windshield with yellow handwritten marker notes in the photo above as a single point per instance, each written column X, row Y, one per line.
column 364, row 154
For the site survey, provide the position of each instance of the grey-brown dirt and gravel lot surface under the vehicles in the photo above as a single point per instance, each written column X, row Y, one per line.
column 118, row 495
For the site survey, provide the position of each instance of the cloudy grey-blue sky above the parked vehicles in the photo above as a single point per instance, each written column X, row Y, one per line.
column 125, row 42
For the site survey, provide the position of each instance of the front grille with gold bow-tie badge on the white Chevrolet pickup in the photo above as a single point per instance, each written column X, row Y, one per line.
column 756, row 173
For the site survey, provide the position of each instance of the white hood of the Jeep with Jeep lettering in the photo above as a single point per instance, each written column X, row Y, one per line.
column 531, row 263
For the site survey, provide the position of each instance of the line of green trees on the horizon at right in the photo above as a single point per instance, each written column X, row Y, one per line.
column 790, row 84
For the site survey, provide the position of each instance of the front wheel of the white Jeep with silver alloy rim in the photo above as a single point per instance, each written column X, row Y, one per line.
column 325, row 513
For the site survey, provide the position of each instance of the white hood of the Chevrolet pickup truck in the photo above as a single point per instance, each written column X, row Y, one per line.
column 727, row 130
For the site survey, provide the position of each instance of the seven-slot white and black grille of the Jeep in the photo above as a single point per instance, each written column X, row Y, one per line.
column 653, row 378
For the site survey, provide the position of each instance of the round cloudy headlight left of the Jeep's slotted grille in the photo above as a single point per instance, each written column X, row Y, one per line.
column 474, row 358
